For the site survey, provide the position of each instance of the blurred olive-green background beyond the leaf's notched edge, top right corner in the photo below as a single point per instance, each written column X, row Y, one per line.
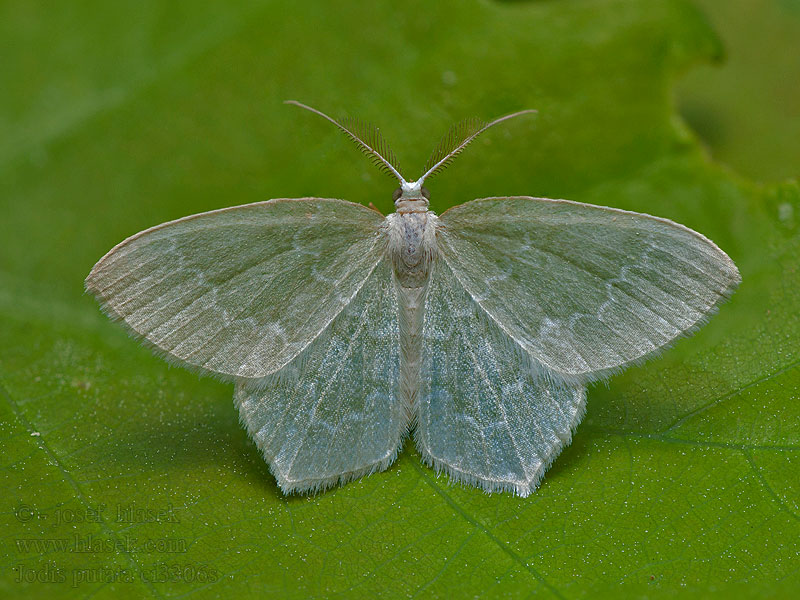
column 746, row 106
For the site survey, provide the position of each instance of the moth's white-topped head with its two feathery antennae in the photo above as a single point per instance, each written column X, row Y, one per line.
column 371, row 143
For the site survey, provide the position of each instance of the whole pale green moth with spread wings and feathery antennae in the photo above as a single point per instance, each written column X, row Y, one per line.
column 478, row 330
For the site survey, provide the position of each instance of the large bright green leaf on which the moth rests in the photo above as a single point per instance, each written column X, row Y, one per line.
column 124, row 477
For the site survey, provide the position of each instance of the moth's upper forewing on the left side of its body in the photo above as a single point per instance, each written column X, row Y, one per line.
column 241, row 291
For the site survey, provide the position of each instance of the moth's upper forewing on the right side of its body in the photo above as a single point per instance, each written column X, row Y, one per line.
column 586, row 290
